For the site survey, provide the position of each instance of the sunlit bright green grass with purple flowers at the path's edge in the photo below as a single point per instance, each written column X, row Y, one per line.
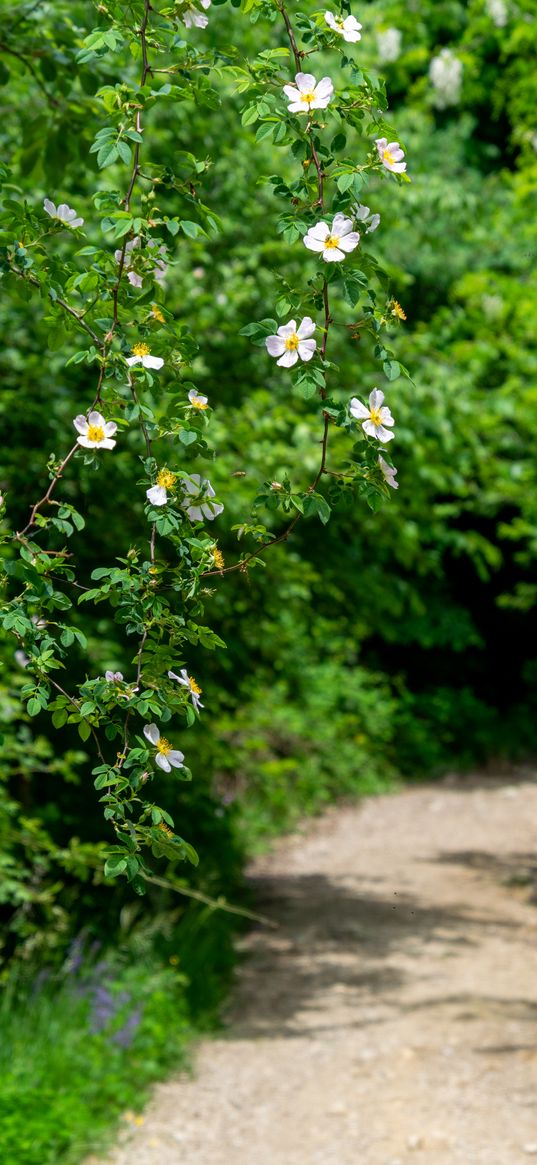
column 66, row 1083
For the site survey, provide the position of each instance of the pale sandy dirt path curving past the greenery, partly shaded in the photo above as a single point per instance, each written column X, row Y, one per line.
column 392, row 1020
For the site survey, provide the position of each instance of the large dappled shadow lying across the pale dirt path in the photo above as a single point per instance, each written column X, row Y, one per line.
column 366, row 948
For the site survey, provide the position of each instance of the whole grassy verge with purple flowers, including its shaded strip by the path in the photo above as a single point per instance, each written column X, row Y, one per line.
column 80, row 1049
